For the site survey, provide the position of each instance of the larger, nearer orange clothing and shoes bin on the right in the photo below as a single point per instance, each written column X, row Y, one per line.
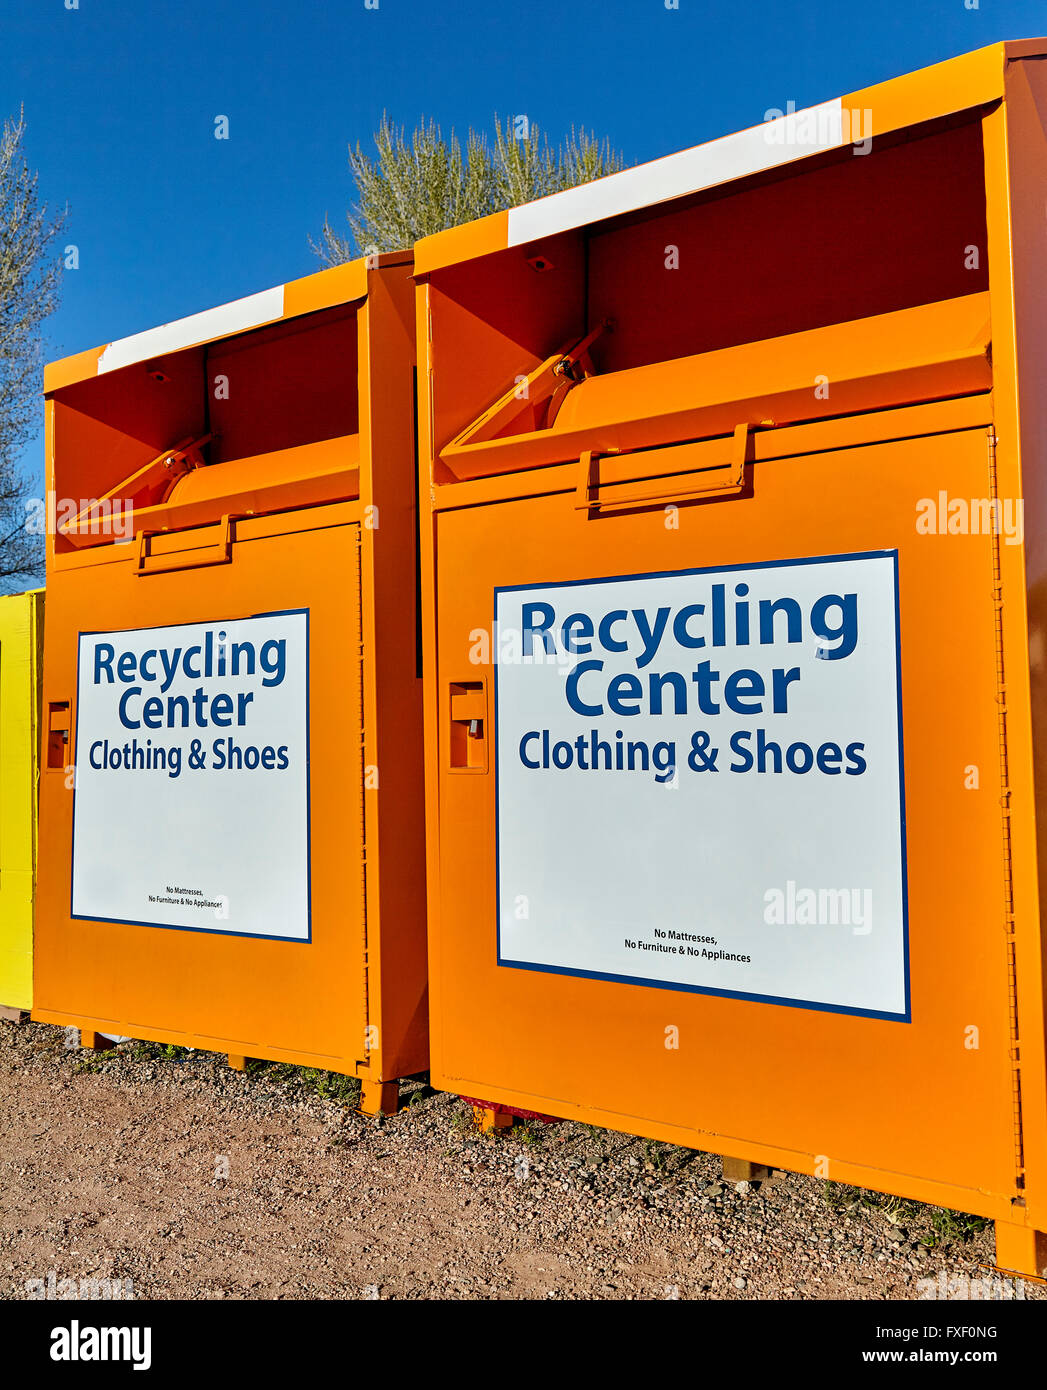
column 735, row 621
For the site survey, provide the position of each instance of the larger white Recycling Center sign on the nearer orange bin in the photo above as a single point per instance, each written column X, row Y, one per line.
column 700, row 782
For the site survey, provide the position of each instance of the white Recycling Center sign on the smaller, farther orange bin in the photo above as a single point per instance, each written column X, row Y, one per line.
column 193, row 778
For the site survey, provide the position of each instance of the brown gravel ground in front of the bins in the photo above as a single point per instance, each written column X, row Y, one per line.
column 191, row 1181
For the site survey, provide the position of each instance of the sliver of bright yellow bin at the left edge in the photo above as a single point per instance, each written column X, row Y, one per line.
column 22, row 635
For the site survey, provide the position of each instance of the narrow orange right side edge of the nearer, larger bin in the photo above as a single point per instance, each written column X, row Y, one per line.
column 1016, row 138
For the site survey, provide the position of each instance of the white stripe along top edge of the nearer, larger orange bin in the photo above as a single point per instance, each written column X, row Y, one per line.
column 736, row 156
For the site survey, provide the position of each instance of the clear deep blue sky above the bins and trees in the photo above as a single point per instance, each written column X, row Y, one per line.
column 122, row 97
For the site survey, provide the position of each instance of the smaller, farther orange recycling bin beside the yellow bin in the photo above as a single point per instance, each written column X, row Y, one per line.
column 233, row 840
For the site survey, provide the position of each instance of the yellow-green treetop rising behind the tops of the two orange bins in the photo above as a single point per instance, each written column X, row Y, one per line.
column 422, row 184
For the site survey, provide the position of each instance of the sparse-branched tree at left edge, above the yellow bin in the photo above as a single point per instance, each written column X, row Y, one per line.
column 30, row 281
